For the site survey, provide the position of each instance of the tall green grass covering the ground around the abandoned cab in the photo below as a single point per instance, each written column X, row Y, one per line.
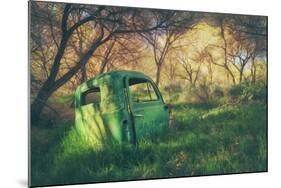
column 207, row 139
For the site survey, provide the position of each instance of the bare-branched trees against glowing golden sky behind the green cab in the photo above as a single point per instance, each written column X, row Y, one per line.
column 70, row 43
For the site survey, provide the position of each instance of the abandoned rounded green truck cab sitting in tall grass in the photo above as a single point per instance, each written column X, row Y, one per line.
column 120, row 106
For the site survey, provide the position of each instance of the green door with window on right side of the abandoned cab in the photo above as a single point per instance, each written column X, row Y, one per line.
column 150, row 114
